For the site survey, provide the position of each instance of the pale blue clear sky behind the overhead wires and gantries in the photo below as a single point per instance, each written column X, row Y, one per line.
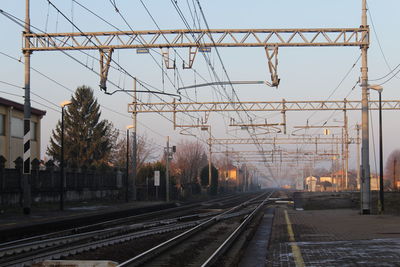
column 305, row 73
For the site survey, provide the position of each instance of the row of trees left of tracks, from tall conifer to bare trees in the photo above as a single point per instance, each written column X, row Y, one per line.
column 92, row 141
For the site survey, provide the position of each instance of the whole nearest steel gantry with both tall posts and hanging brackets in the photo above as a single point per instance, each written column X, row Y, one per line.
column 201, row 40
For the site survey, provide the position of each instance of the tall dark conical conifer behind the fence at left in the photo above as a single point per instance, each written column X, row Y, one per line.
column 87, row 139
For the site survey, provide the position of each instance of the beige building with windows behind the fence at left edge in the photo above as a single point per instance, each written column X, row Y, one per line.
column 12, row 131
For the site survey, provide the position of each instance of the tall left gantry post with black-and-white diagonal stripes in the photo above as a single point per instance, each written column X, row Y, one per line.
column 27, row 119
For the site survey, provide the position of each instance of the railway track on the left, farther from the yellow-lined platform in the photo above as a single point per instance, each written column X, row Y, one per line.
column 78, row 240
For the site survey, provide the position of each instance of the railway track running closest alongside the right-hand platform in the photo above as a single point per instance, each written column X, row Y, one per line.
column 175, row 252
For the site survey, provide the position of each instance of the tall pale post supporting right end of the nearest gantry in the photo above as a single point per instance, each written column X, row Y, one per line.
column 365, row 168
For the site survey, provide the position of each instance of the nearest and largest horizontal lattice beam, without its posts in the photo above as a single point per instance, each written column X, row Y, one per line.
column 198, row 38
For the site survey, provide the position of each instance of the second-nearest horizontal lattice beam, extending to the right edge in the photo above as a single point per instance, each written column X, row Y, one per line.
column 261, row 106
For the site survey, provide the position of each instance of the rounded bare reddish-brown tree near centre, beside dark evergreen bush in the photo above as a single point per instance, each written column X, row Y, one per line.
column 188, row 161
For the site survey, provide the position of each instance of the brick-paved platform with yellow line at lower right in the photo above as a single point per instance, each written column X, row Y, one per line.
column 333, row 238
